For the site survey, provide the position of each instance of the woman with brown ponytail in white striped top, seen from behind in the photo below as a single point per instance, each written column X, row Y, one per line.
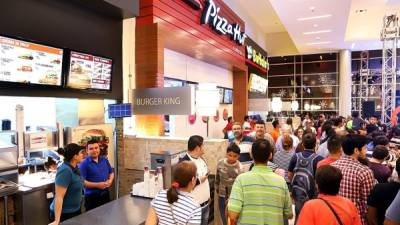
column 175, row 206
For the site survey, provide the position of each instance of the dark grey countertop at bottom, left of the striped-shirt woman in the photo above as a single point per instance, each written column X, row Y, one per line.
column 126, row 210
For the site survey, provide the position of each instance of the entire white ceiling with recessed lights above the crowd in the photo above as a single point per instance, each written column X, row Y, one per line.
column 349, row 29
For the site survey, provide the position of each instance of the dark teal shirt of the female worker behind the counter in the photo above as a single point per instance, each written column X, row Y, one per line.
column 69, row 178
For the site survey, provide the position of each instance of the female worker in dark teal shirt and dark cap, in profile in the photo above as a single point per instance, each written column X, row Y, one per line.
column 69, row 185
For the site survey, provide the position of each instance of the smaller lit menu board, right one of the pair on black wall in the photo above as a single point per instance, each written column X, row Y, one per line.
column 89, row 72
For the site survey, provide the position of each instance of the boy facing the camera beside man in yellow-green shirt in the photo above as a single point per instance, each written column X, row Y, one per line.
column 227, row 171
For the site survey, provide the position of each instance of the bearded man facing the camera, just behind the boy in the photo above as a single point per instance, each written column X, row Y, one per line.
column 244, row 142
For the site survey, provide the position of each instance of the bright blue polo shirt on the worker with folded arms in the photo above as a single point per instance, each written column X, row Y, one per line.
column 95, row 172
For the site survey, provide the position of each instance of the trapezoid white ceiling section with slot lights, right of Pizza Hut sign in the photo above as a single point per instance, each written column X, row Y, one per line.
column 336, row 12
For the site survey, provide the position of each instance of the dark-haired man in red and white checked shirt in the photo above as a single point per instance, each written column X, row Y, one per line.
column 358, row 180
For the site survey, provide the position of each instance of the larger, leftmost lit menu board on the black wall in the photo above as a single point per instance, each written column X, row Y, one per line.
column 26, row 62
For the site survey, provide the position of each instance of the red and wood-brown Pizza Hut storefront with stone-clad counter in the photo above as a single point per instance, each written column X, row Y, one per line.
column 178, row 45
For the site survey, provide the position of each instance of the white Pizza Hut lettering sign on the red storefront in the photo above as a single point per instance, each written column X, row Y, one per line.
column 220, row 24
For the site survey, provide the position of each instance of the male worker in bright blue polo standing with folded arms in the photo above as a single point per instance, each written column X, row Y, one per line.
column 98, row 176
